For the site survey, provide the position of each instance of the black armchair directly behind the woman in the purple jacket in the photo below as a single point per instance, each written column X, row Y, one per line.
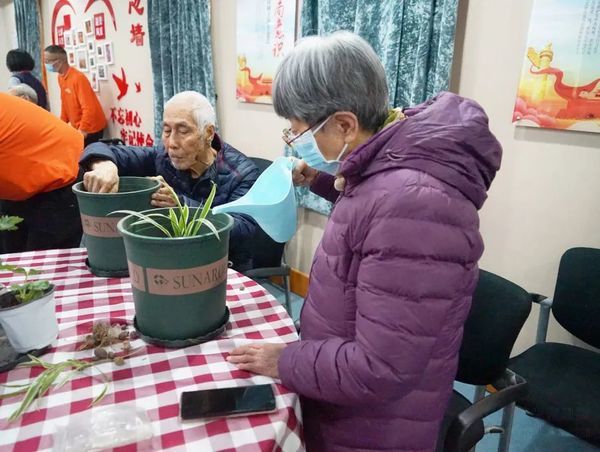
column 498, row 312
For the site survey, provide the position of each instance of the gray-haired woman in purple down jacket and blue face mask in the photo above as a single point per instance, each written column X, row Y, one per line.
column 392, row 279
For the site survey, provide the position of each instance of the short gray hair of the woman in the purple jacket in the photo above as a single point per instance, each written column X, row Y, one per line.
column 323, row 75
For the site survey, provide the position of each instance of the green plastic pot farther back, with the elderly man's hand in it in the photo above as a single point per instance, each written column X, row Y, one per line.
column 106, row 252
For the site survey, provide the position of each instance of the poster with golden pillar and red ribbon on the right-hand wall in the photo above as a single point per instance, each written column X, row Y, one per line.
column 560, row 81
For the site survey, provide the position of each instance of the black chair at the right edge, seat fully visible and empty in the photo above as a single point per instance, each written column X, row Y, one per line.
column 564, row 380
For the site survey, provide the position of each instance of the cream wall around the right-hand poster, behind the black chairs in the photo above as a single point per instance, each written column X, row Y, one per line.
column 546, row 197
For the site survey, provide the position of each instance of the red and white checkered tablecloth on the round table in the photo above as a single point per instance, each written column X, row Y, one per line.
column 153, row 380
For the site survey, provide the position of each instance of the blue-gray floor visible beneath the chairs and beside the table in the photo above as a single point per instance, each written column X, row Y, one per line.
column 529, row 434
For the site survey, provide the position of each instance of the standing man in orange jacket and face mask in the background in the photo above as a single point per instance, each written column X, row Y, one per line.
column 80, row 106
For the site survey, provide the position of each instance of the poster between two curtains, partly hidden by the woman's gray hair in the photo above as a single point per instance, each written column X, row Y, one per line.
column 265, row 32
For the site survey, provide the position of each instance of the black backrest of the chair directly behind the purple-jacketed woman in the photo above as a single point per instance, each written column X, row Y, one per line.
column 498, row 311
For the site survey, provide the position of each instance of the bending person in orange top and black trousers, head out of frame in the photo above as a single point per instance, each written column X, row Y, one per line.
column 39, row 157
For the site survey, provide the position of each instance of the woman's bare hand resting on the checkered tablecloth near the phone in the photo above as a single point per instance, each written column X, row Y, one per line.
column 260, row 359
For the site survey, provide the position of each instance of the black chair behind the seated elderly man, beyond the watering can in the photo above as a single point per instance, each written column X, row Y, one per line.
column 267, row 254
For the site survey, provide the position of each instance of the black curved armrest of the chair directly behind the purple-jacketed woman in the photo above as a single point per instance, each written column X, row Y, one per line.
column 513, row 387
